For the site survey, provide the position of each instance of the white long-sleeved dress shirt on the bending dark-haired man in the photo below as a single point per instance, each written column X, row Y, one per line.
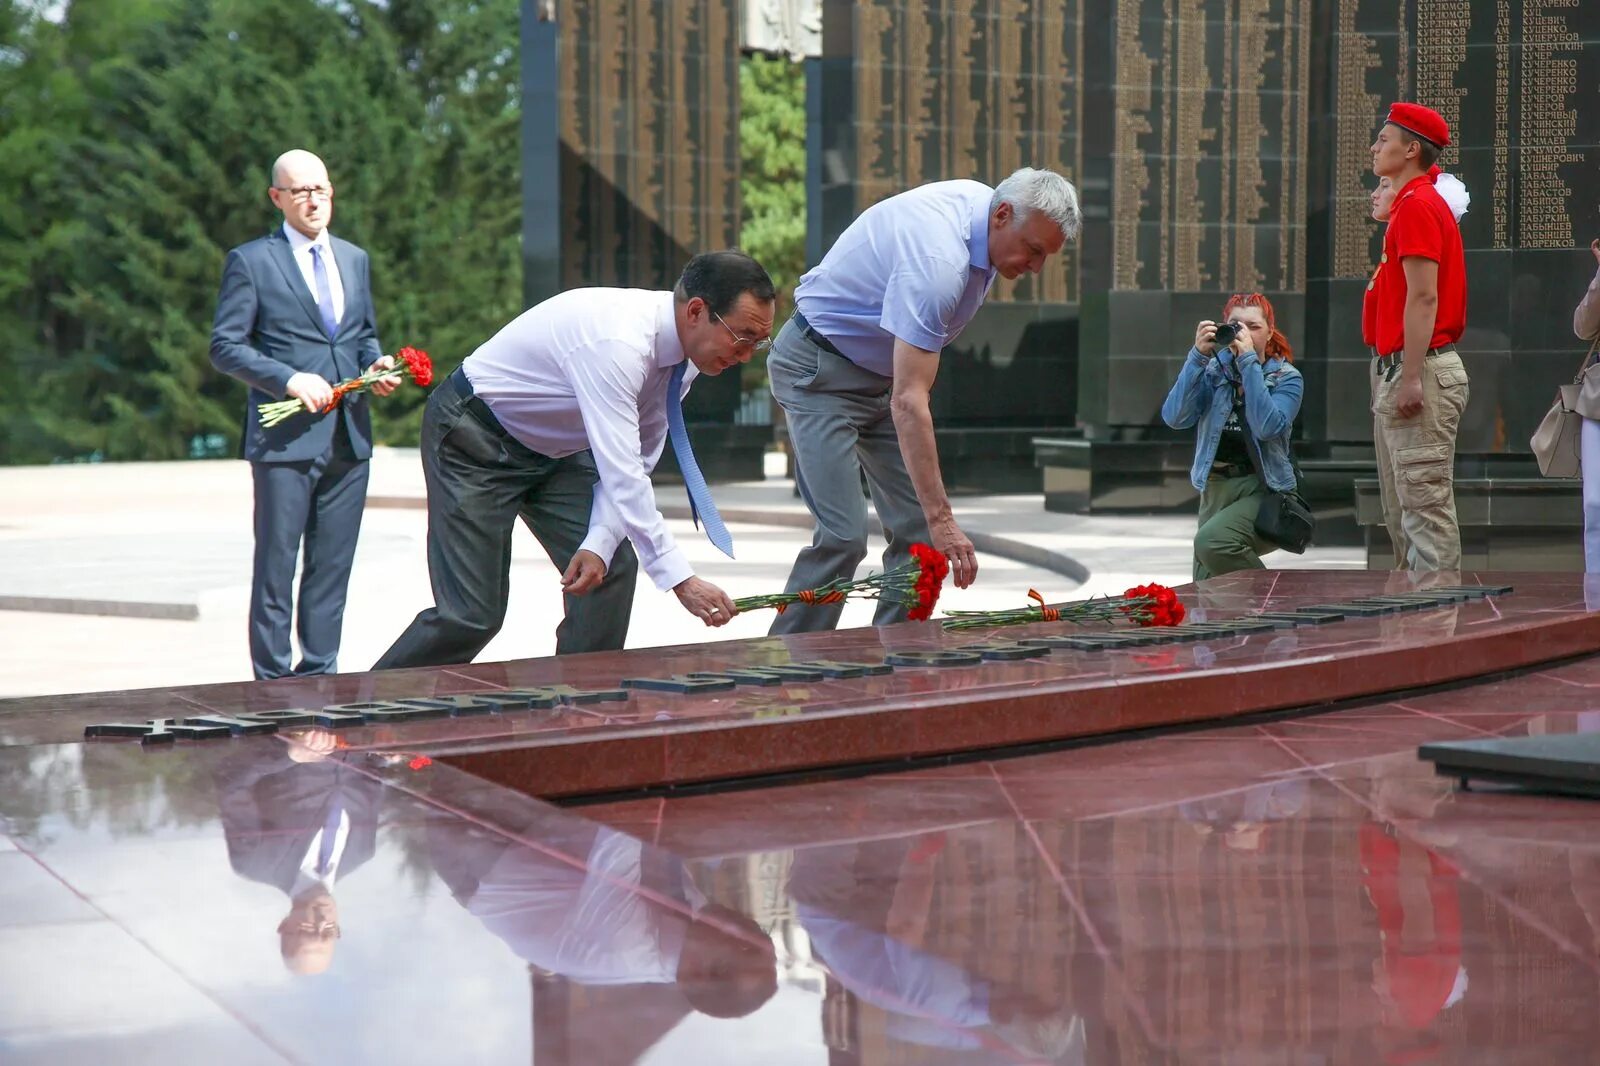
column 590, row 369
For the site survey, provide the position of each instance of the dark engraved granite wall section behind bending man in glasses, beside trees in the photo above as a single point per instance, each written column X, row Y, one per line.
column 631, row 166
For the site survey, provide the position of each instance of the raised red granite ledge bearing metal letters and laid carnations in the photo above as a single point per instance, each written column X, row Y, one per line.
column 666, row 739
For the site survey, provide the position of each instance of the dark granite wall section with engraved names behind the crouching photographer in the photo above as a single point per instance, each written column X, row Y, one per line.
column 1198, row 129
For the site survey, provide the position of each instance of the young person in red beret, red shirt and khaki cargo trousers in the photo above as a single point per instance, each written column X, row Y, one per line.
column 1418, row 308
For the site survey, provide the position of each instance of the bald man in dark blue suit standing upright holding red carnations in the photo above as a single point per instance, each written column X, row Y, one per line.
column 295, row 316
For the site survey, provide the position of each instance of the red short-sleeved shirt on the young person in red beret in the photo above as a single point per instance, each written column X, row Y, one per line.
column 1420, row 225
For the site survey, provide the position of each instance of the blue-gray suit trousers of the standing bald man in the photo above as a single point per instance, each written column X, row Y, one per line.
column 318, row 503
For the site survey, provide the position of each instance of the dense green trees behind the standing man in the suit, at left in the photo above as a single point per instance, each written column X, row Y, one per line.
column 135, row 146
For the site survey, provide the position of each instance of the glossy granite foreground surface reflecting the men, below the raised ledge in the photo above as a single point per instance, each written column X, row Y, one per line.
column 1287, row 892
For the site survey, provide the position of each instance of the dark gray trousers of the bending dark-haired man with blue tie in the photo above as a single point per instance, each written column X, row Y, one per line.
column 479, row 483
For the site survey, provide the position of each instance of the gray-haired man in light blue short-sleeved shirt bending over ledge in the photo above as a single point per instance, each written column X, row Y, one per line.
column 857, row 363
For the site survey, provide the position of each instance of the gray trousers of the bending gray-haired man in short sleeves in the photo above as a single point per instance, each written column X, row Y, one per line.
column 839, row 427
